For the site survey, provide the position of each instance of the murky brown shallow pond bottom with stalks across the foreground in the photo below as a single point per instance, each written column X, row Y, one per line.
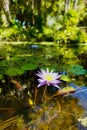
column 61, row 113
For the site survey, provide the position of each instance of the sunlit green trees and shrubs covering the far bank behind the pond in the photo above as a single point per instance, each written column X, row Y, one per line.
column 63, row 21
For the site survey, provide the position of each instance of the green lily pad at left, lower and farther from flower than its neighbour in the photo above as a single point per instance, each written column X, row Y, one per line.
column 14, row 72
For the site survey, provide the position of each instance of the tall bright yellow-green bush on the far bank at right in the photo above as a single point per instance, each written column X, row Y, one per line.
column 69, row 32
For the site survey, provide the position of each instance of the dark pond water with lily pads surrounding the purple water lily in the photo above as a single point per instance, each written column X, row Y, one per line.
column 20, row 108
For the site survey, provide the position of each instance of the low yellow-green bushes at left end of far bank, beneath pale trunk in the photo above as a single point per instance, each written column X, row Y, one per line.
column 14, row 33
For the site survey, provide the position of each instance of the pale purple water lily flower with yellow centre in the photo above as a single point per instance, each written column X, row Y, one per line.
column 48, row 78
